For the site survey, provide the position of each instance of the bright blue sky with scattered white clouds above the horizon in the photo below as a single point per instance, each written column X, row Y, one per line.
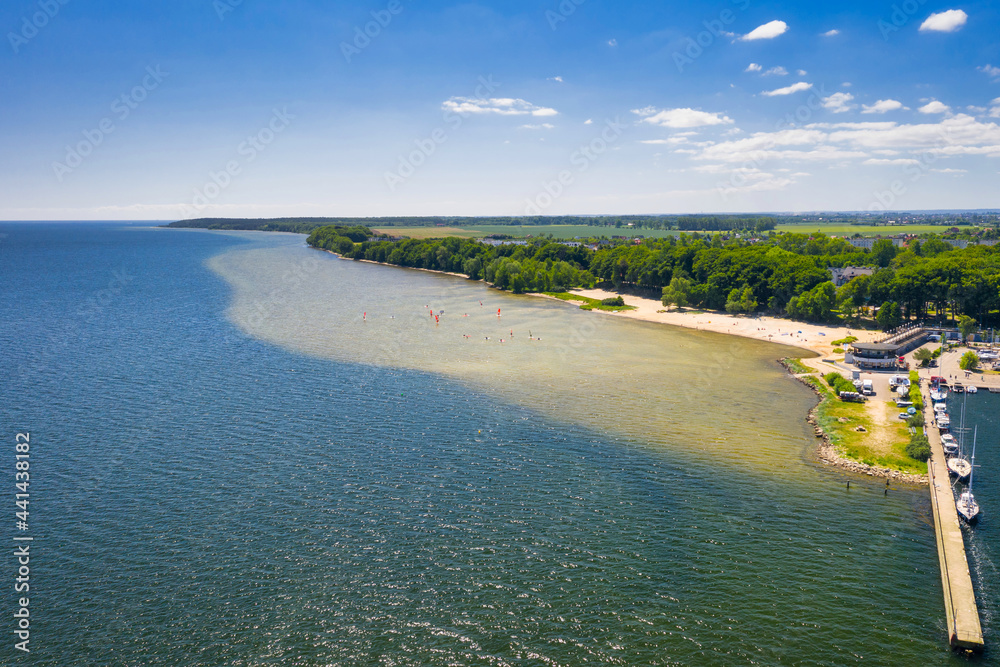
column 166, row 110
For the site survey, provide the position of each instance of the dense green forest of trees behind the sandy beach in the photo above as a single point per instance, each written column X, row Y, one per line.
column 782, row 273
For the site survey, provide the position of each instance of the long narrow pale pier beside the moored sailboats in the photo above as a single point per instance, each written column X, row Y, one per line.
column 964, row 630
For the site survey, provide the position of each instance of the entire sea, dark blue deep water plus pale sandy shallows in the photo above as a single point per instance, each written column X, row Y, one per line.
column 248, row 452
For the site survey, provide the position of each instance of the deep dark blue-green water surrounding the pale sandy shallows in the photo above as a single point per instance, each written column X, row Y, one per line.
column 199, row 497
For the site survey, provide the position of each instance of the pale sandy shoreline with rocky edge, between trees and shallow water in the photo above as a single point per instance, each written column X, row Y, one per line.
column 808, row 337
